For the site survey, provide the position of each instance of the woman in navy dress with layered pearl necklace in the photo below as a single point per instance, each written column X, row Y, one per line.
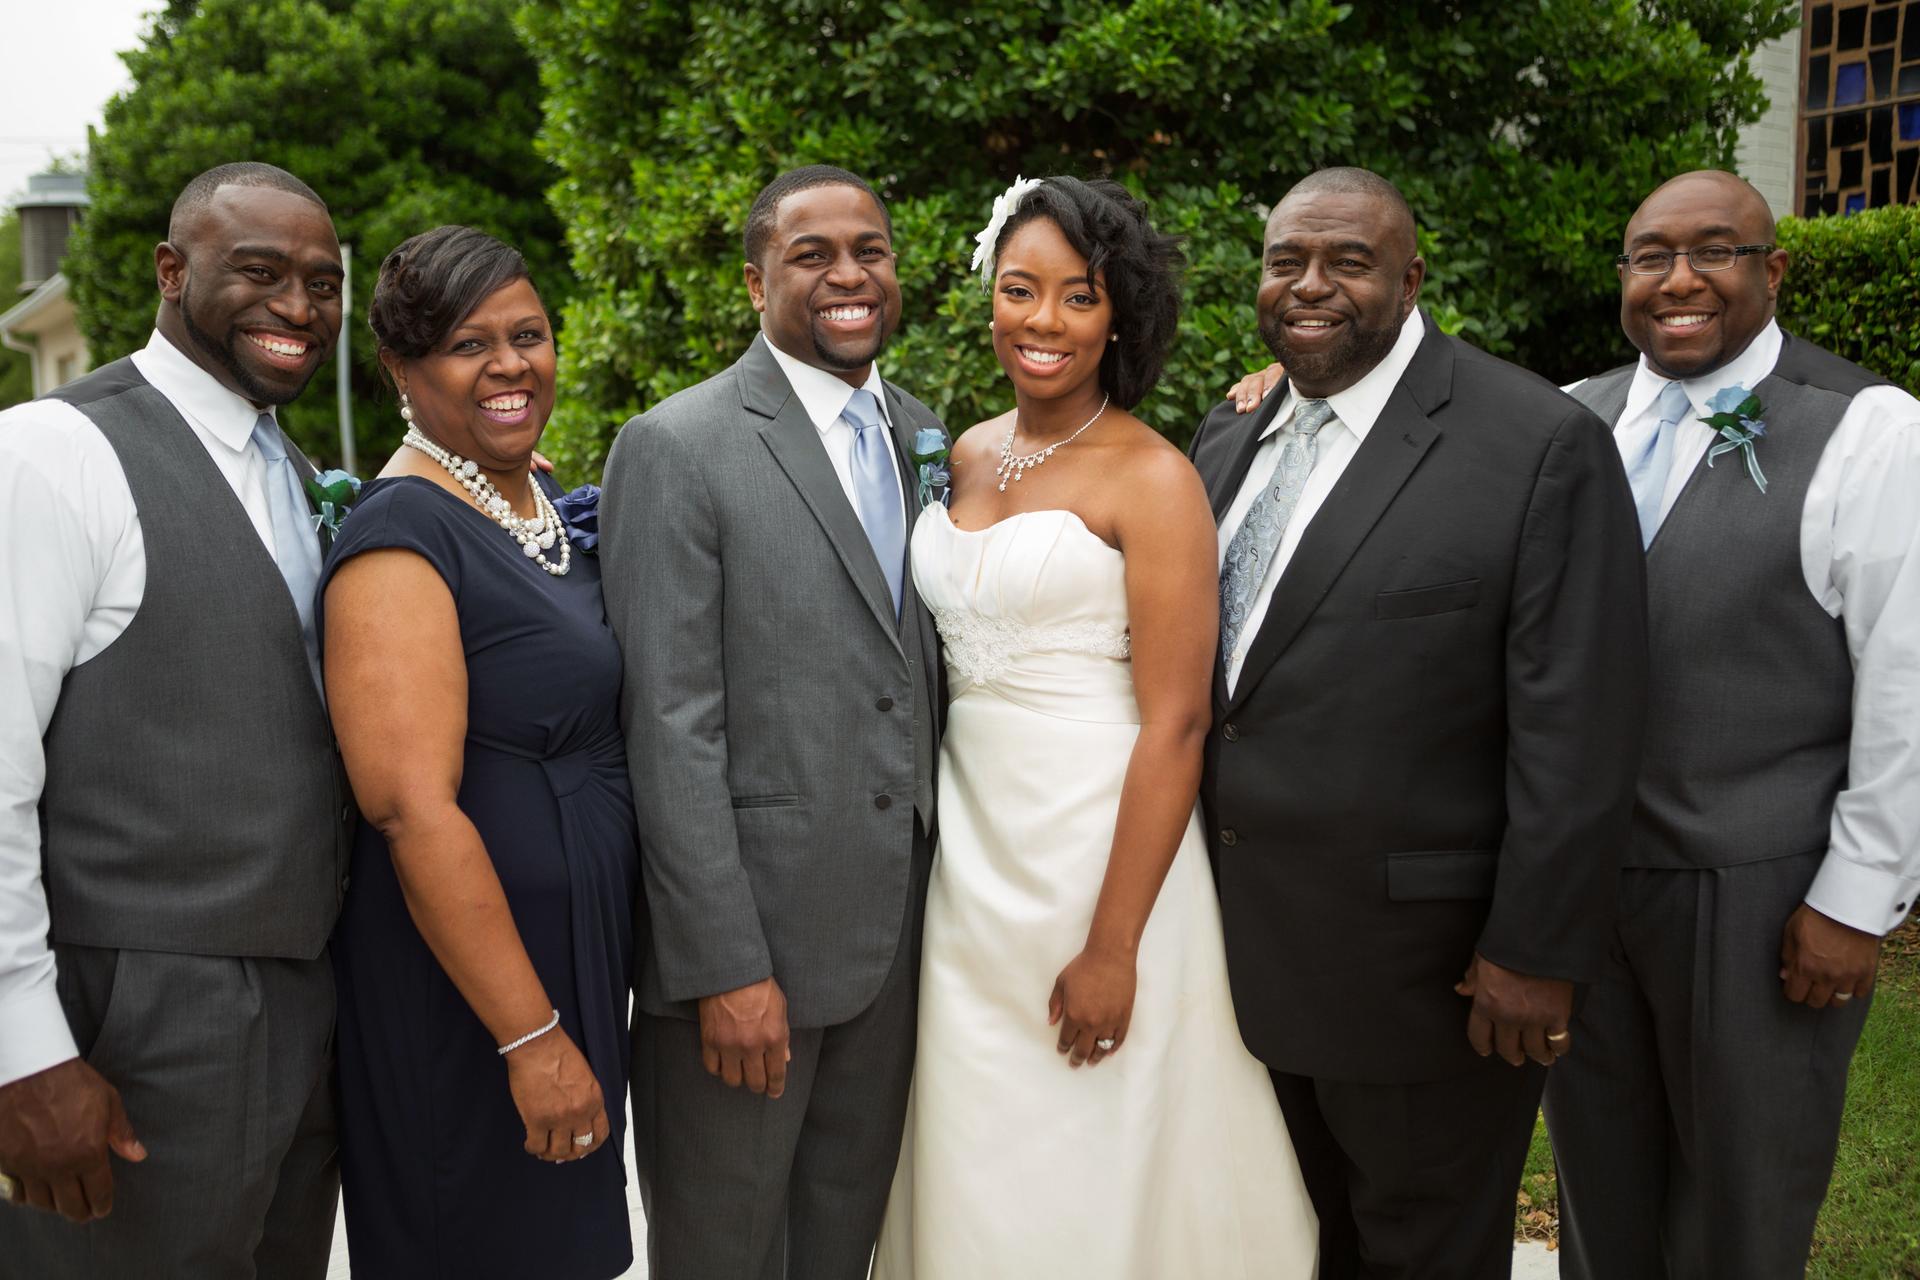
column 487, row 945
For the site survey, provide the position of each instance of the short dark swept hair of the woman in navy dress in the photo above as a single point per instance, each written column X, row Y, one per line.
column 433, row 283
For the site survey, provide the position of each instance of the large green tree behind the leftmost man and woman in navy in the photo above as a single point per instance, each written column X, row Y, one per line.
column 402, row 114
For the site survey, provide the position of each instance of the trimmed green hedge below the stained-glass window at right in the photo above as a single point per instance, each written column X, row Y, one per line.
column 1854, row 287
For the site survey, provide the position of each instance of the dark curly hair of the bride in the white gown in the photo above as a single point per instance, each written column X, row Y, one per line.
column 1109, row 227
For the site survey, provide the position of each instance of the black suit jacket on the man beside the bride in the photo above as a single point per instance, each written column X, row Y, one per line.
column 1433, row 742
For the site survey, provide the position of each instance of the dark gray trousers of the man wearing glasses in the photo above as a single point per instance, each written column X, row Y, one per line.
column 1696, row 1120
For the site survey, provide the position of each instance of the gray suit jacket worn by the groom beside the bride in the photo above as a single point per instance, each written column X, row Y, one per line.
column 780, row 723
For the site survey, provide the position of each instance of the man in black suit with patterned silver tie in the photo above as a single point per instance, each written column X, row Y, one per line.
column 1428, row 723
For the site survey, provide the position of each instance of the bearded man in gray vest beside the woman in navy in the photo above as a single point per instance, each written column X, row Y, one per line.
column 172, row 809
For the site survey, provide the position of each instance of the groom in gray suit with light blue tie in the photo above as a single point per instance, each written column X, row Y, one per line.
column 780, row 724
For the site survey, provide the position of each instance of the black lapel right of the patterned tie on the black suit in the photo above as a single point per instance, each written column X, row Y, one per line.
column 1397, row 444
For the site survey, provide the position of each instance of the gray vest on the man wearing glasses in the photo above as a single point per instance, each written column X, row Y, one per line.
column 1750, row 703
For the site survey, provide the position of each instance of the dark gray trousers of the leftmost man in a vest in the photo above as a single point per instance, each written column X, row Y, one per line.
column 226, row 1068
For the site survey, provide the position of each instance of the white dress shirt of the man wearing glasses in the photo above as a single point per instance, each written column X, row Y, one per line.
column 1861, row 559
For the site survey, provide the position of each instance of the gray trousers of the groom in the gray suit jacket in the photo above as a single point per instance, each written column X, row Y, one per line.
column 740, row 1187
